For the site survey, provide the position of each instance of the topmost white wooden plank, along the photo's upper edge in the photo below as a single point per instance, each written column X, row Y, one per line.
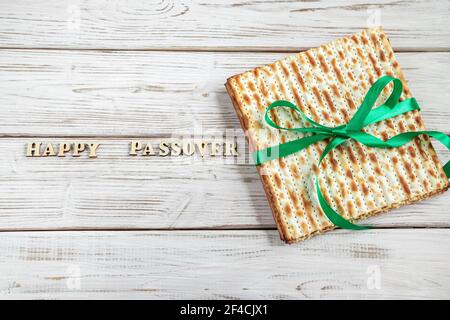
column 221, row 25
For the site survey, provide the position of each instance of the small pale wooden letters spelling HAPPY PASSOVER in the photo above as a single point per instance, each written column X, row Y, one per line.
column 136, row 148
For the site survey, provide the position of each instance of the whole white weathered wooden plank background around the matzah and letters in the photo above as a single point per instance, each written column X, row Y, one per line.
column 126, row 227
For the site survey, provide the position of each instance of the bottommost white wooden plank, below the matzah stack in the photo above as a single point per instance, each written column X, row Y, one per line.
column 394, row 264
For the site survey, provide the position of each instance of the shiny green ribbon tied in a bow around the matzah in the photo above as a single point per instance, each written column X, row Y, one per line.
column 364, row 116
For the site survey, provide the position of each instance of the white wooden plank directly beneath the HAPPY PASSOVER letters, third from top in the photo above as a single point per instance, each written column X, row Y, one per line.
column 120, row 191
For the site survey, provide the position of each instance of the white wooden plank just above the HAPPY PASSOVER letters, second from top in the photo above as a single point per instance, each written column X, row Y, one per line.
column 156, row 93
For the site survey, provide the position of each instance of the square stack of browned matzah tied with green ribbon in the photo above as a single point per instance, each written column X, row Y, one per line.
column 328, row 84
